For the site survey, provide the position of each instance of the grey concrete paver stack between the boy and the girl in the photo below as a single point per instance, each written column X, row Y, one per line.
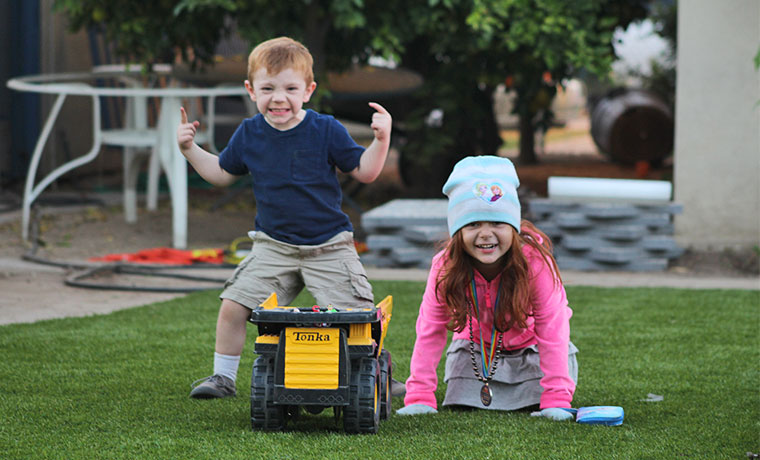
column 404, row 232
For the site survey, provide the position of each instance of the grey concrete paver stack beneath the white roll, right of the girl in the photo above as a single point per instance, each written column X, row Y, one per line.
column 608, row 235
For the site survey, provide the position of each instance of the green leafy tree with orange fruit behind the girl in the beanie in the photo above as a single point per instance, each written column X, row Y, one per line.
column 464, row 48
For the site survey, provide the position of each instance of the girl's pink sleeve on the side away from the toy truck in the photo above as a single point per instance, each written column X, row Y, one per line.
column 552, row 326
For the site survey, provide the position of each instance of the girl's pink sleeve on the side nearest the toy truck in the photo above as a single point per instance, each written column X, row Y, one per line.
column 431, row 340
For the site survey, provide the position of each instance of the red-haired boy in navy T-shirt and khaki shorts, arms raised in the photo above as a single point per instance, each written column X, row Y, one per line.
column 302, row 236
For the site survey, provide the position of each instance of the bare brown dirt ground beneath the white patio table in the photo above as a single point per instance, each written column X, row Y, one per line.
column 84, row 230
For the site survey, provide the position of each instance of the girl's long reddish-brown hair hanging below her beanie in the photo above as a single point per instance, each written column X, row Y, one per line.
column 514, row 294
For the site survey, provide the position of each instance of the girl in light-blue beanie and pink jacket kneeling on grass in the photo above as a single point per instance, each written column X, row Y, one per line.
column 497, row 287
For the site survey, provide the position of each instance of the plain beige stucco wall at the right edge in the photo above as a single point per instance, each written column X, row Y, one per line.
column 717, row 139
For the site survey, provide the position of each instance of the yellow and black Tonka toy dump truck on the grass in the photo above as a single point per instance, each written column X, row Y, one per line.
column 320, row 357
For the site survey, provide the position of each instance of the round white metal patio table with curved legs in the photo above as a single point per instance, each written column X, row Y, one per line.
column 172, row 162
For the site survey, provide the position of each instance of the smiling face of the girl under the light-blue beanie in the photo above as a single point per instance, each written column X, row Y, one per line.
column 487, row 243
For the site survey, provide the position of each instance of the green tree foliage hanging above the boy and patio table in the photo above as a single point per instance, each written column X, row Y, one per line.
column 337, row 32
